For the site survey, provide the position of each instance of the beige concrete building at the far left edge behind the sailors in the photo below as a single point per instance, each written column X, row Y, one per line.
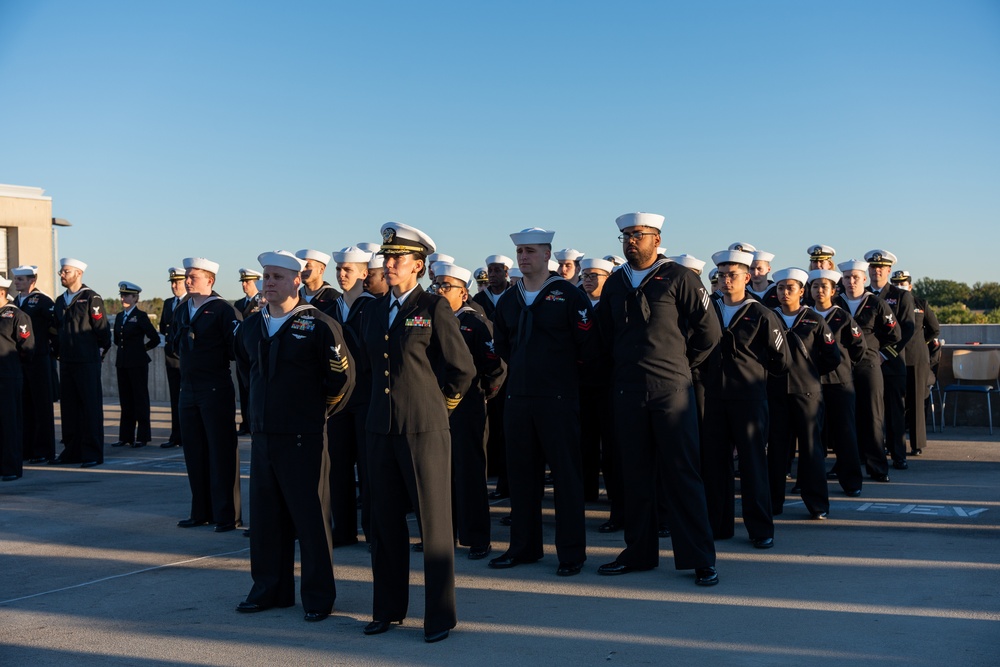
column 28, row 233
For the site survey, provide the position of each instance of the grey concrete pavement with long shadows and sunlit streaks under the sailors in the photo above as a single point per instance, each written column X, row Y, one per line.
column 93, row 571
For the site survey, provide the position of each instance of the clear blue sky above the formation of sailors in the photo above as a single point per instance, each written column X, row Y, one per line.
column 223, row 129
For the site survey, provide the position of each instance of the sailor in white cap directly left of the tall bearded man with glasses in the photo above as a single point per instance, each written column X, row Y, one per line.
column 544, row 329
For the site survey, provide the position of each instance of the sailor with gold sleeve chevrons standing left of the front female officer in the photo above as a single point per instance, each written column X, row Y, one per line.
column 299, row 372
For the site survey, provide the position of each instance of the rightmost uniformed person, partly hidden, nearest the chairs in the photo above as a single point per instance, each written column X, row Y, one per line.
column 918, row 364
